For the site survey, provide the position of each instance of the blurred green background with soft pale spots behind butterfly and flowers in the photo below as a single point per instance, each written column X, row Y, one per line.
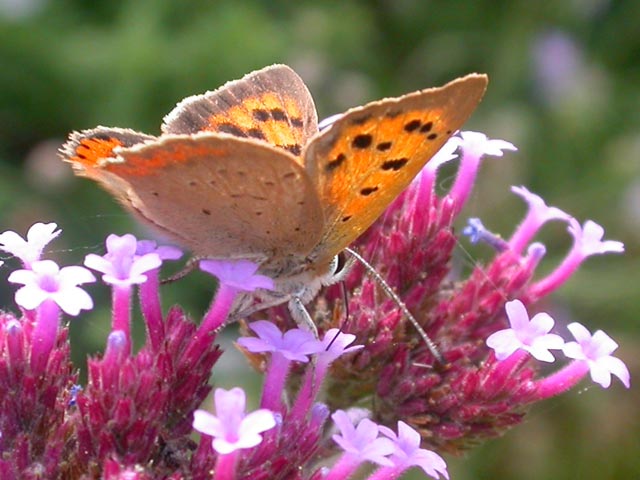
column 565, row 88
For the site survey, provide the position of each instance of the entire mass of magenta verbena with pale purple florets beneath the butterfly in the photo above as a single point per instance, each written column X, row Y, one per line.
column 369, row 379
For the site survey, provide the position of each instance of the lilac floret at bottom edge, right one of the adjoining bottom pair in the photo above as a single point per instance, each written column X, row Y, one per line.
column 408, row 452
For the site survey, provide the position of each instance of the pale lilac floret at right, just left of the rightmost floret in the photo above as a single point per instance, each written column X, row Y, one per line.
column 530, row 335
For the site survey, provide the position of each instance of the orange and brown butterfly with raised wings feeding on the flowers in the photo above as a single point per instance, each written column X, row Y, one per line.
column 243, row 172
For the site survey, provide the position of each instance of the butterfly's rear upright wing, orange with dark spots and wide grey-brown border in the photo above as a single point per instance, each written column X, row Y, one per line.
column 271, row 105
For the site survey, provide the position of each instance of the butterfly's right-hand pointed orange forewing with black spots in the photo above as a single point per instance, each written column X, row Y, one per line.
column 362, row 162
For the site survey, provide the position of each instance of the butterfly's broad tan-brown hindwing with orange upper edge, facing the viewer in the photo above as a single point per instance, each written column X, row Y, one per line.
column 219, row 195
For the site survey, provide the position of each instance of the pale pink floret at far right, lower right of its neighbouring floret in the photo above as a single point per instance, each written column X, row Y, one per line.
column 596, row 350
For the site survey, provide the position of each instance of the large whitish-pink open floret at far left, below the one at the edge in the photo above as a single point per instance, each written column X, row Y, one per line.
column 46, row 281
